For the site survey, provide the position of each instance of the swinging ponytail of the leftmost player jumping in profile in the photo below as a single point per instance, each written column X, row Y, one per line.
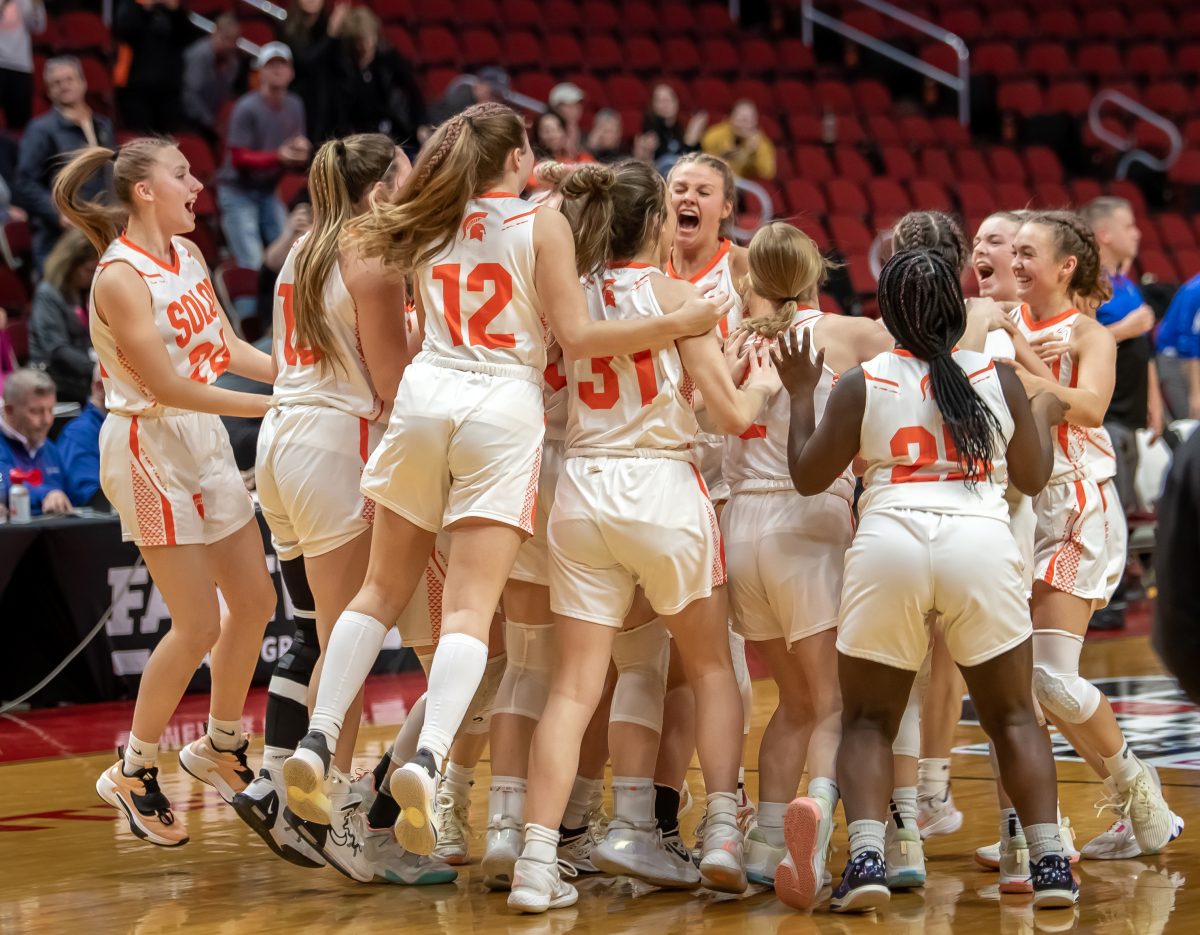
column 103, row 223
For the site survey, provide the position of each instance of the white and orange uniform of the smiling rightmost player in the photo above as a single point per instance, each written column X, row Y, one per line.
column 1081, row 534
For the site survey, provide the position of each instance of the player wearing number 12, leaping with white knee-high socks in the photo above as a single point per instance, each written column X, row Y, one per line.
column 466, row 434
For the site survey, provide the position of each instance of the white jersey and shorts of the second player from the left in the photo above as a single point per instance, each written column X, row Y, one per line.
column 314, row 446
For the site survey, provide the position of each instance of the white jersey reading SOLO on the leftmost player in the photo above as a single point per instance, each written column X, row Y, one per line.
column 185, row 313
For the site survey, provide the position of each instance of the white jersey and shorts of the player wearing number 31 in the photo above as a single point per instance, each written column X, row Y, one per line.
column 631, row 508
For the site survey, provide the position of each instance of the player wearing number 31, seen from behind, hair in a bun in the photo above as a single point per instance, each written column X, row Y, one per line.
column 632, row 508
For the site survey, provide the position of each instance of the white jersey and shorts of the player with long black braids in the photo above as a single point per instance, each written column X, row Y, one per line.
column 929, row 544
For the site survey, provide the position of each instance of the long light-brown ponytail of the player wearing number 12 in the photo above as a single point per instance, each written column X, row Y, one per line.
column 465, row 154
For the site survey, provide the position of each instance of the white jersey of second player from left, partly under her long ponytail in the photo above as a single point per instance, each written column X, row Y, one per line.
column 303, row 377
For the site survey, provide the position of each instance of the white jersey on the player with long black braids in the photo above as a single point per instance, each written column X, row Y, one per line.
column 911, row 461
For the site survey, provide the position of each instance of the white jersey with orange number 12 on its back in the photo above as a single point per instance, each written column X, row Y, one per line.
column 479, row 297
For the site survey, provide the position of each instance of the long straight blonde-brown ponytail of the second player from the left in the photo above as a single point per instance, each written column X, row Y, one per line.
column 343, row 173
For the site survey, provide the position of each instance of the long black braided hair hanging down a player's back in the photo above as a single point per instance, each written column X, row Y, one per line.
column 921, row 302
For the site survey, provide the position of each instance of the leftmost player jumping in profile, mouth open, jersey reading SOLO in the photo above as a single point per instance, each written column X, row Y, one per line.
column 167, row 466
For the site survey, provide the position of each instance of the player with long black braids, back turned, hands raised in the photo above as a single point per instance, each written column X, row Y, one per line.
column 957, row 422
